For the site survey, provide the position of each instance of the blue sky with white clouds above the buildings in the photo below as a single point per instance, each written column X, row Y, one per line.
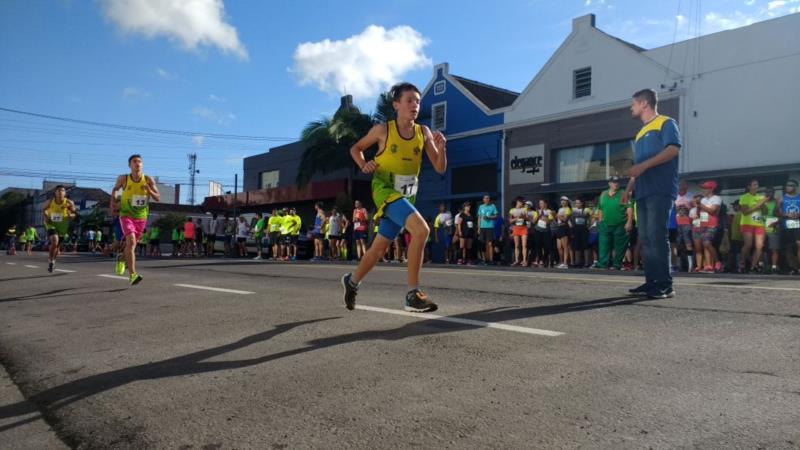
column 266, row 68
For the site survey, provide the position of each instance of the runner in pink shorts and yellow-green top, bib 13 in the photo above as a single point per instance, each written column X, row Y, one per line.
column 137, row 190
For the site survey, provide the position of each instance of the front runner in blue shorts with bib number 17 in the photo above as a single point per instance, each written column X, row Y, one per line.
column 395, row 180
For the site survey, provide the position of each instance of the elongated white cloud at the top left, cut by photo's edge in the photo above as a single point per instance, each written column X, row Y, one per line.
column 191, row 23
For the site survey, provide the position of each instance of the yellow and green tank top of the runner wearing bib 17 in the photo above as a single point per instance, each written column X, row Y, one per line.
column 398, row 167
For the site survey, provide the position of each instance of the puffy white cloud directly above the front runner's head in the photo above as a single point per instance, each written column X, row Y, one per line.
column 364, row 64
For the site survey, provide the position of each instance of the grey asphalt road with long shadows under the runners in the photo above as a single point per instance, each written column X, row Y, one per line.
column 512, row 359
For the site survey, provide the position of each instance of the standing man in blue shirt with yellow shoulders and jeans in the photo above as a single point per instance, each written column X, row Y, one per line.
column 655, row 177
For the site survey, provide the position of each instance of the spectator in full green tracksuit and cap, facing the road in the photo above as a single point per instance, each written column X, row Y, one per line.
column 615, row 221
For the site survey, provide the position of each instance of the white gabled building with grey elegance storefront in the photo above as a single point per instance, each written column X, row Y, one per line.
column 733, row 94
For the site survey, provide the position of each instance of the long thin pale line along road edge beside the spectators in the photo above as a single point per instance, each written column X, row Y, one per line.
column 591, row 279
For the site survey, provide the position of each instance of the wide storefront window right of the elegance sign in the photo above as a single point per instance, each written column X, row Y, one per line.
column 594, row 162
